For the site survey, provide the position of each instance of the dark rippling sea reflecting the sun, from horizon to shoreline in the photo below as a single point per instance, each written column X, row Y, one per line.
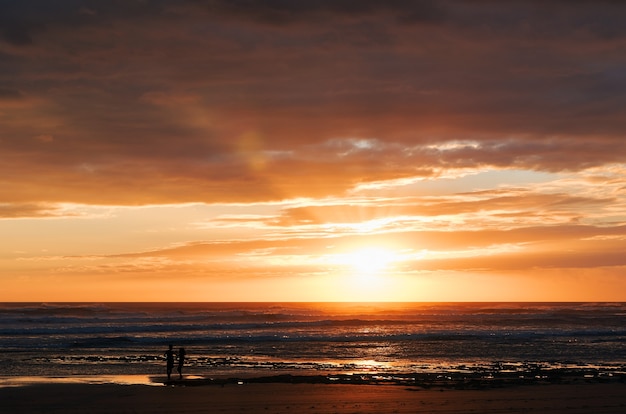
column 227, row 340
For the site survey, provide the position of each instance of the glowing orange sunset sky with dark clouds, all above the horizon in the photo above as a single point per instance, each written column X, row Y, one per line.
column 314, row 150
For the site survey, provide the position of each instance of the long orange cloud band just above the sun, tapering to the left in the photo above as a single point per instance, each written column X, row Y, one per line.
column 587, row 240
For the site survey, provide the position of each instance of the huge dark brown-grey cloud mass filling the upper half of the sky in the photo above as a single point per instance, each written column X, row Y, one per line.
column 169, row 91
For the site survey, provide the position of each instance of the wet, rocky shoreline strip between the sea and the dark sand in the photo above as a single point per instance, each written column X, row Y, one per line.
column 469, row 379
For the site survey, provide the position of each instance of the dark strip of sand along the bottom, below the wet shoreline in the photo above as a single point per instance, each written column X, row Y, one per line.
column 595, row 398
